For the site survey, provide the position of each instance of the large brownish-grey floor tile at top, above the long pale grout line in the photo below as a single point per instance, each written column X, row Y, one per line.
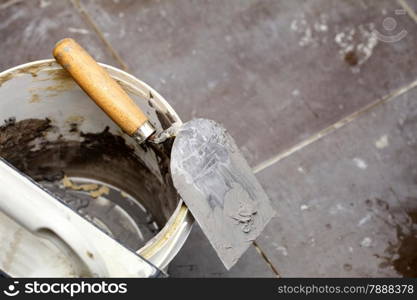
column 274, row 72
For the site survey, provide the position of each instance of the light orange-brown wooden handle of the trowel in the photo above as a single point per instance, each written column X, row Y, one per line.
column 98, row 84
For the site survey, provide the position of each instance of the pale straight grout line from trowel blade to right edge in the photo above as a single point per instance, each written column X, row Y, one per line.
column 346, row 120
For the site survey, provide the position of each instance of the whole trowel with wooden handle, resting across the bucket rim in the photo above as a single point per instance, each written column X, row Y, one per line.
column 208, row 170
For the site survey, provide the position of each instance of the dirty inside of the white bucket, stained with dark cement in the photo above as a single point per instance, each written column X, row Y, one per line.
column 55, row 134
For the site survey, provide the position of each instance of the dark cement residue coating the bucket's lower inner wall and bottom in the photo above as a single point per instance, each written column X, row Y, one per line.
column 102, row 157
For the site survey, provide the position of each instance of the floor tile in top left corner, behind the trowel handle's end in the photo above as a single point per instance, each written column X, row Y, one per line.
column 30, row 29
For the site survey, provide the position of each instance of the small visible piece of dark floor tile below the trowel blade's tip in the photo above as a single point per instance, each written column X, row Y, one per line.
column 198, row 259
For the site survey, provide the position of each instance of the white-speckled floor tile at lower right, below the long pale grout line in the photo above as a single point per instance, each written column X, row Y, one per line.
column 347, row 204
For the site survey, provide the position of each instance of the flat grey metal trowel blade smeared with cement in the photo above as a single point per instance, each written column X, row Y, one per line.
column 219, row 187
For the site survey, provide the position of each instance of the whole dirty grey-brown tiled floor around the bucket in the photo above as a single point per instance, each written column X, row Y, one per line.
column 280, row 75
